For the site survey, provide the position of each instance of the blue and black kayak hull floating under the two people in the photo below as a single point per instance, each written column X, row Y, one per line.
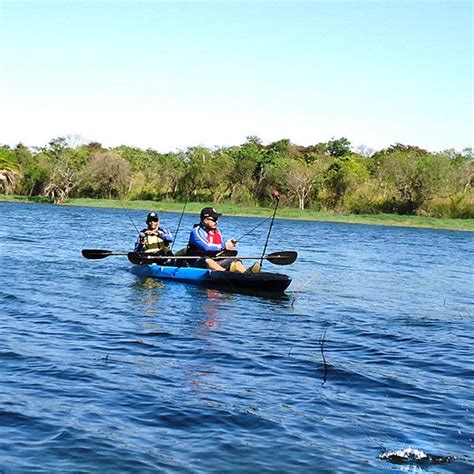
column 255, row 282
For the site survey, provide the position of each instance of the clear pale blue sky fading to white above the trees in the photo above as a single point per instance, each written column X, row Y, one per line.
column 170, row 75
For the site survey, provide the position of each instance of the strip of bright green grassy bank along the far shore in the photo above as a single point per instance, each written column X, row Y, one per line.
column 237, row 210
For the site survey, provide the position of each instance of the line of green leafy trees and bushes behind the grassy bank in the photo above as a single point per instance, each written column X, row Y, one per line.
column 329, row 176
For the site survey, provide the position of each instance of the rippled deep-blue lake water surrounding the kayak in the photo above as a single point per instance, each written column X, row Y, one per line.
column 370, row 351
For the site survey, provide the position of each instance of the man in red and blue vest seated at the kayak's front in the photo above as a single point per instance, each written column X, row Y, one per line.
column 207, row 242
